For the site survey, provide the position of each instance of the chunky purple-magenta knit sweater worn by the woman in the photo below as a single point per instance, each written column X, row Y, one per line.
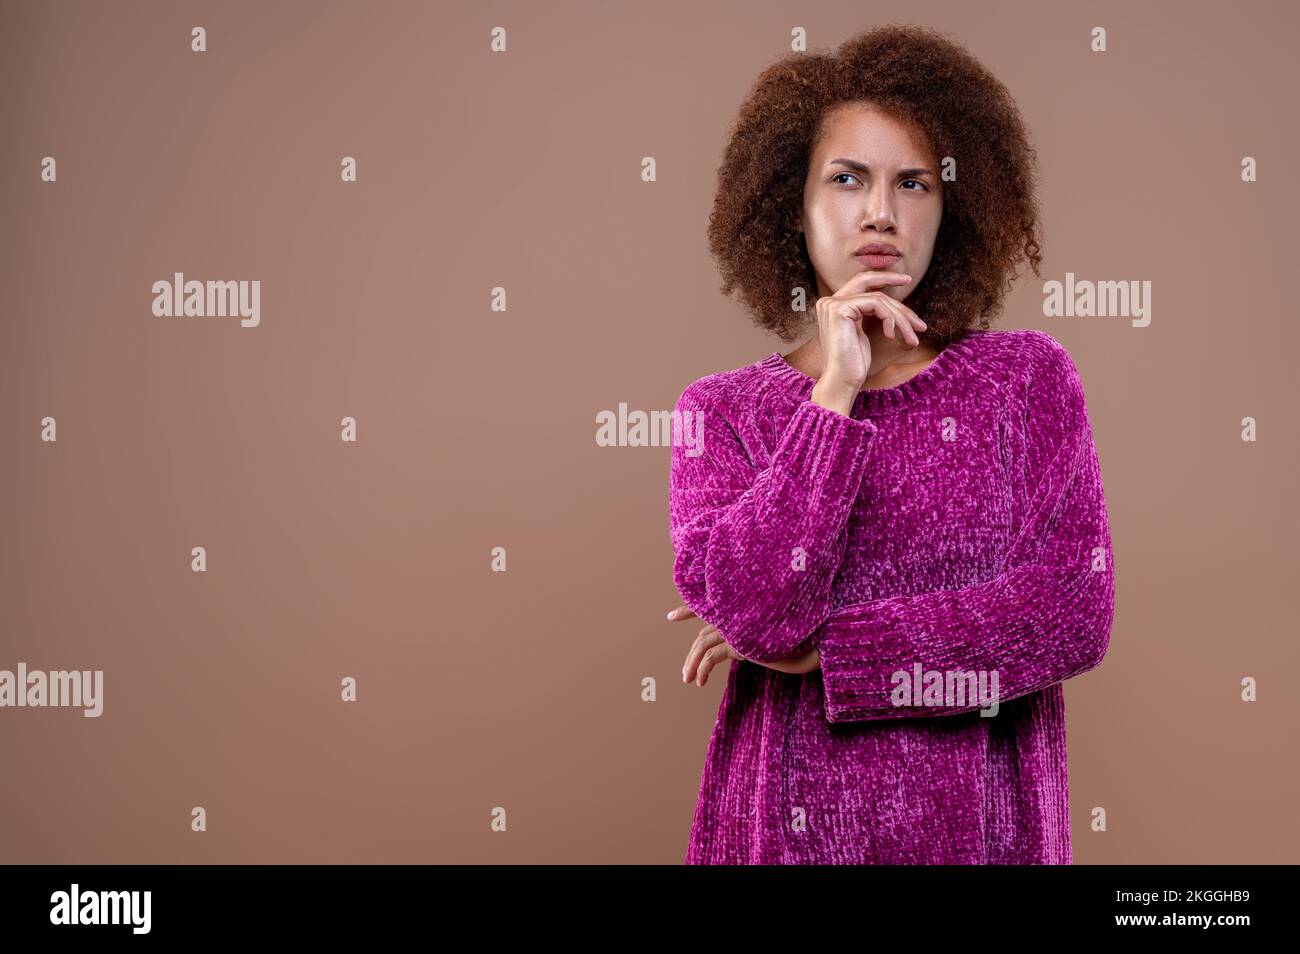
column 950, row 535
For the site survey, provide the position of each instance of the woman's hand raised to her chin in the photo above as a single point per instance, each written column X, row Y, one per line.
column 842, row 326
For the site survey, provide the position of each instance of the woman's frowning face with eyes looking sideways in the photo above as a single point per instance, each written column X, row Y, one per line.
column 870, row 180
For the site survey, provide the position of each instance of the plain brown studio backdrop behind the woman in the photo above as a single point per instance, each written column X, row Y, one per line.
column 522, row 690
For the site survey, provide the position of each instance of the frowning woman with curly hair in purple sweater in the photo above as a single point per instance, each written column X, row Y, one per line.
column 899, row 531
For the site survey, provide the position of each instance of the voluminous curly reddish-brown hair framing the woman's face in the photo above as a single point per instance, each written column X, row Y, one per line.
column 925, row 80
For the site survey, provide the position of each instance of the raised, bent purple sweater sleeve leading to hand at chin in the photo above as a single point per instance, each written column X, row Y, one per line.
column 756, row 548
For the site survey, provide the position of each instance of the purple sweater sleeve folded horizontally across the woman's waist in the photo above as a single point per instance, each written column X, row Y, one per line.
column 1045, row 619
